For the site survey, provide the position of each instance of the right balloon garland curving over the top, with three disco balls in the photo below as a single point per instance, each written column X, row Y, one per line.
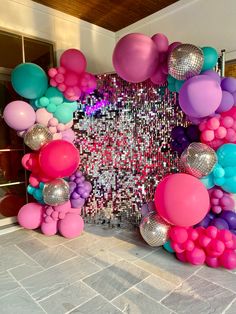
column 193, row 211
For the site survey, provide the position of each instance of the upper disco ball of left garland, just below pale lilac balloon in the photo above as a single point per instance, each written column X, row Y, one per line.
column 37, row 136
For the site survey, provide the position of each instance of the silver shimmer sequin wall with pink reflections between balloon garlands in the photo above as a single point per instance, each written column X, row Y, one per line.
column 123, row 135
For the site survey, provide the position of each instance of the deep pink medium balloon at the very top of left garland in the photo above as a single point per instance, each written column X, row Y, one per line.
column 73, row 60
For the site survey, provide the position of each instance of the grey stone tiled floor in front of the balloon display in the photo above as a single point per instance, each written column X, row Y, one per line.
column 105, row 272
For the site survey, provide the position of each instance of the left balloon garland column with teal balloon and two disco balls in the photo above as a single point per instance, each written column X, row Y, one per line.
column 45, row 122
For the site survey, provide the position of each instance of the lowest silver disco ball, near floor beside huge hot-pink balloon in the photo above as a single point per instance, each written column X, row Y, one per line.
column 154, row 229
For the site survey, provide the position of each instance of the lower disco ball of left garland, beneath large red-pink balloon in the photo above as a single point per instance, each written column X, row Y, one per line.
column 56, row 192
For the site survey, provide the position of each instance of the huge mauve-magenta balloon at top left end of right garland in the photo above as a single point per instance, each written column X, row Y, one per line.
column 135, row 58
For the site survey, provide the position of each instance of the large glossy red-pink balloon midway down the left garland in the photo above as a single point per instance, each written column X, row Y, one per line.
column 59, row 159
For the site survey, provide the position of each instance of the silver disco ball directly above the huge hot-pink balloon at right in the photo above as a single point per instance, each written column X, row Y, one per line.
column 198, row 159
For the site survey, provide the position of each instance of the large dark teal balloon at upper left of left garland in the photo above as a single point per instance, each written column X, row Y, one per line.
column 29, row 80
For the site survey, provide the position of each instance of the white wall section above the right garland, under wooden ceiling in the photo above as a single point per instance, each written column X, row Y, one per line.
column 200, row 22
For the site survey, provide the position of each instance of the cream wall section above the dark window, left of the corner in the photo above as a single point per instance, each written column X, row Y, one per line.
column 65, row 31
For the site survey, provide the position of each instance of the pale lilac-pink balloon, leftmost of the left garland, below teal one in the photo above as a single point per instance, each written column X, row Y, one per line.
column 19, row 115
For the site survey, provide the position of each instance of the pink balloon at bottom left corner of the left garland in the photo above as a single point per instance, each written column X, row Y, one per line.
column 30, row 216
